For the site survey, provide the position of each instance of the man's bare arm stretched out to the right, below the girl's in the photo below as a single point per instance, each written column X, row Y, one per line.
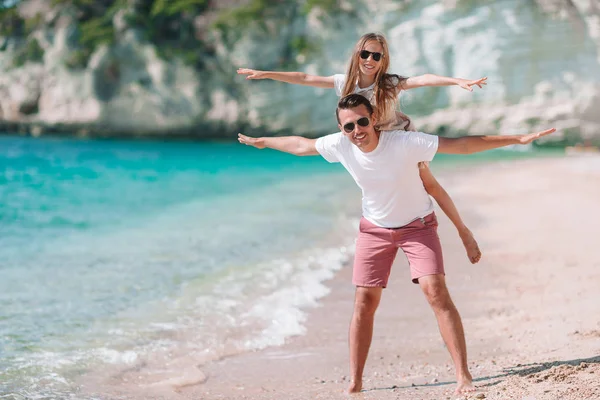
column 476, row 144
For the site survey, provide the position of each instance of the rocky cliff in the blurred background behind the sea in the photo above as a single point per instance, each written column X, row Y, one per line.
column 541, row 58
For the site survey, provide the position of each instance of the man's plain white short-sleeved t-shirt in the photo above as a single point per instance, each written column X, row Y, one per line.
column 392, row 190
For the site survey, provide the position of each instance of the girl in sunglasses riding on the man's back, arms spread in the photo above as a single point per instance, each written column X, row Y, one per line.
column 367, row 75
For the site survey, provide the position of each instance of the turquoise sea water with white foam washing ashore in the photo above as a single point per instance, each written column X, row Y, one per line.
column 114, row 250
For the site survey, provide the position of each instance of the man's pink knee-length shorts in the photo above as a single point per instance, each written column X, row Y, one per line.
column 376, row 250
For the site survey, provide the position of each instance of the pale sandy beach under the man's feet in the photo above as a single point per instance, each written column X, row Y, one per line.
column 531, row 307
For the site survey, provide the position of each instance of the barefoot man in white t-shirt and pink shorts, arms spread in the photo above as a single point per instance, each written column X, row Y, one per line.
column 397, row 213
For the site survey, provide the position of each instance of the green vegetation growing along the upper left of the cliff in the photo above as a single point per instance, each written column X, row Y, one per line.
column 170, row 25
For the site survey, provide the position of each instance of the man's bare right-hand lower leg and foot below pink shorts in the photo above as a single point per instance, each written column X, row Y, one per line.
column 451, row 328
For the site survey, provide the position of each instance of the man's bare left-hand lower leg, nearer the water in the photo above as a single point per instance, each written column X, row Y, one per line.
column 366, row 301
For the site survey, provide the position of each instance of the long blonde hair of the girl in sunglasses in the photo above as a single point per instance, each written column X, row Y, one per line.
column 385, row 91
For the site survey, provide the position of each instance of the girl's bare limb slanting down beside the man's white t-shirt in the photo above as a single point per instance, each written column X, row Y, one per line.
column 435, row 190
